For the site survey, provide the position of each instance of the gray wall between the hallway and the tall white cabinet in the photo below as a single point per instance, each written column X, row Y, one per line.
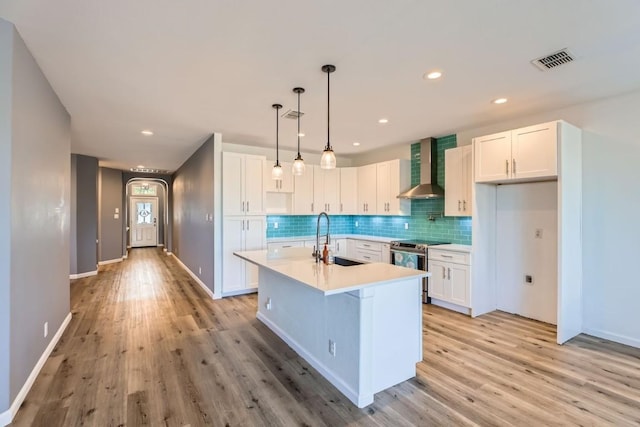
column 193, row 200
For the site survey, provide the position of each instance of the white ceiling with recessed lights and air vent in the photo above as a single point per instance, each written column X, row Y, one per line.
column 185, row 69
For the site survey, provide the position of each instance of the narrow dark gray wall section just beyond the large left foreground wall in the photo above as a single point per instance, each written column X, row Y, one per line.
column 84, row 213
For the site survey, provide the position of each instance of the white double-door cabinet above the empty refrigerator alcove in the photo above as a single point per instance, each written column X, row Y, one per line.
column 525, row 154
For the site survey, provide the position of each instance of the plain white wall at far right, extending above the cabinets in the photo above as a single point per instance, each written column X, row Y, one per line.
column 611, row 172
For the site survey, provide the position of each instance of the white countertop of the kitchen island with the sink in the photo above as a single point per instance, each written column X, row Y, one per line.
column 299, row 265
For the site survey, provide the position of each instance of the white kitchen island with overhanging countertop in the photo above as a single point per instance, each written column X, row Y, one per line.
column 359, row 326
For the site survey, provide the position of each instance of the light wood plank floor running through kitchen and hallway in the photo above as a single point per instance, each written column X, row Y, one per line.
column 147, row 346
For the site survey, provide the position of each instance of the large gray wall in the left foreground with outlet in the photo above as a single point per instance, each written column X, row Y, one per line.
column 37, row 135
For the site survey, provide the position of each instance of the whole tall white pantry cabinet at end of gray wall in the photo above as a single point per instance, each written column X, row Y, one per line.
column 244, row 222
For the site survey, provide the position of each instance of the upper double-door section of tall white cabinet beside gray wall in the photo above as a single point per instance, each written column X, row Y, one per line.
column 242, row 184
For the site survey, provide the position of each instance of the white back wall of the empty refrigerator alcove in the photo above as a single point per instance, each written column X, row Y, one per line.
column 521, row 210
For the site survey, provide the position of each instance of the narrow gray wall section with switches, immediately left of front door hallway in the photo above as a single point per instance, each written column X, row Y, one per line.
column 110, row 196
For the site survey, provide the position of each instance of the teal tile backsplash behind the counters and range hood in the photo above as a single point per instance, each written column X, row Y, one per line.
column 450, row 229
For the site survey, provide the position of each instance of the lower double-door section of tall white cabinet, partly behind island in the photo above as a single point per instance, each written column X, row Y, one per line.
column 242, row 233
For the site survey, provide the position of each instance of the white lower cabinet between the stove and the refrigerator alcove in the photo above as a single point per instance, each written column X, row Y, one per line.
column 449, row 279
